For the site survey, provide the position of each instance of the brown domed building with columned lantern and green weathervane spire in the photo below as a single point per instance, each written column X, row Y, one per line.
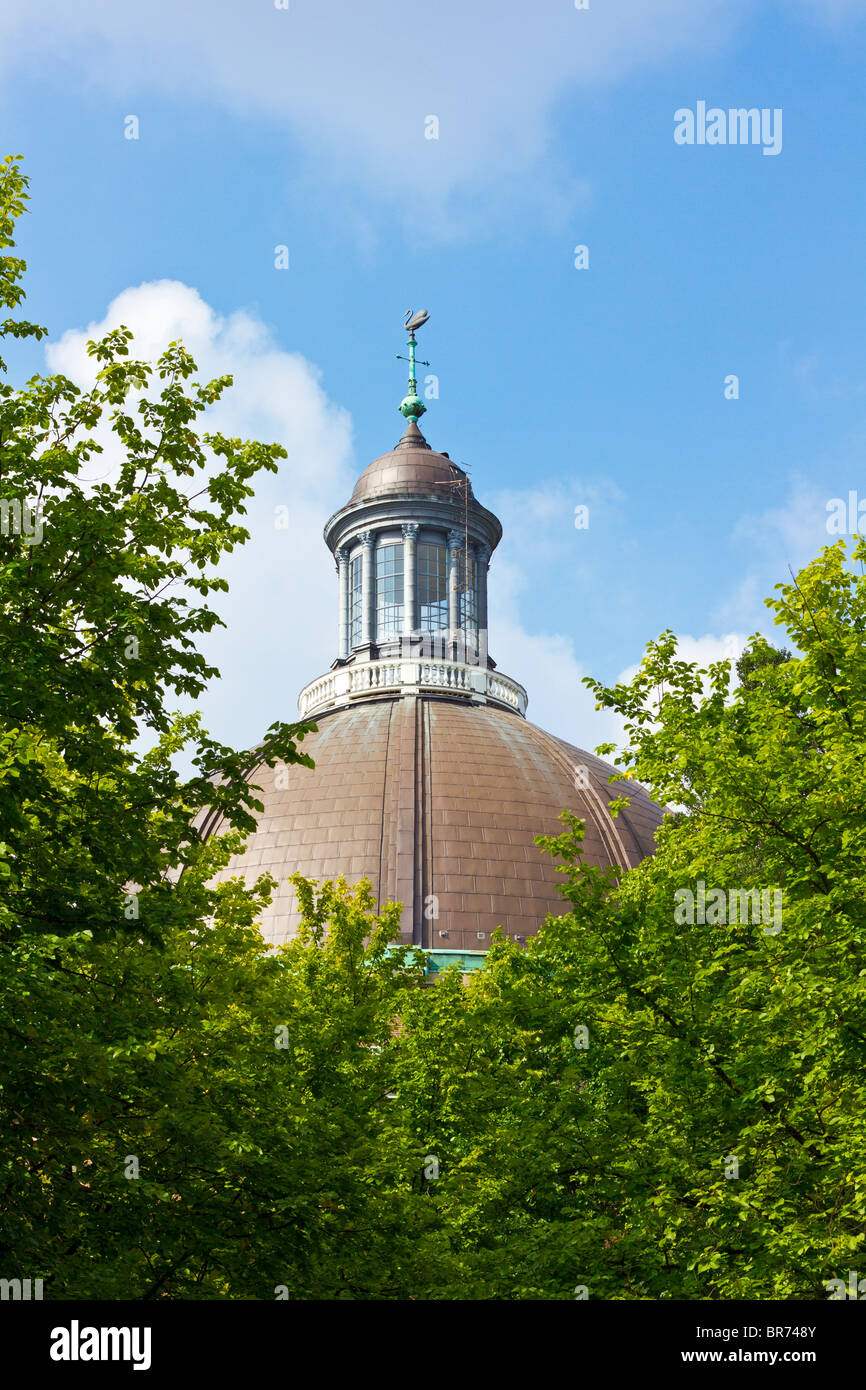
column 429, row 778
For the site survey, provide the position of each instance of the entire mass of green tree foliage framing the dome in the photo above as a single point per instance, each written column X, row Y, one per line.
column 660, row 1097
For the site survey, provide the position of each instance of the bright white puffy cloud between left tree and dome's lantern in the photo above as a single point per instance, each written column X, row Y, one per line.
column 281, row 610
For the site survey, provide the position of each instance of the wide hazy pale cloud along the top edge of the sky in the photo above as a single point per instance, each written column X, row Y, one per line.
column 354, row 84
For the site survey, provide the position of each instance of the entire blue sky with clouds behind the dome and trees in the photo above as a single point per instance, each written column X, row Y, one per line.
column 305, row 127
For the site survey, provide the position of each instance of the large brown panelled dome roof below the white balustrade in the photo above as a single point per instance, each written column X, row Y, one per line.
column 437, row 803
